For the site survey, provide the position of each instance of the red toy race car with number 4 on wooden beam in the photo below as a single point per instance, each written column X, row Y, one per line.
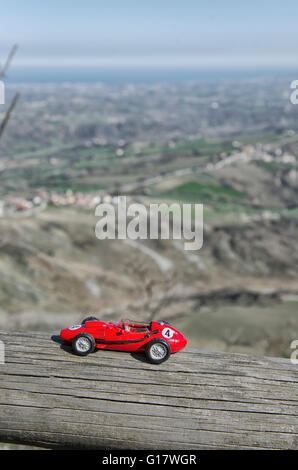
column 156, row 339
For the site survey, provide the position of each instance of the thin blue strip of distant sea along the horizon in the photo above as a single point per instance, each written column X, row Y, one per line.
column 123, row 75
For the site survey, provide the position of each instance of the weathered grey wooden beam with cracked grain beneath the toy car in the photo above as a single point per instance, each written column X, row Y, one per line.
column 108, row 400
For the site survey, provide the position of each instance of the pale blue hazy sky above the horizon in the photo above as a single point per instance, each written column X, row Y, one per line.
column 151, row 32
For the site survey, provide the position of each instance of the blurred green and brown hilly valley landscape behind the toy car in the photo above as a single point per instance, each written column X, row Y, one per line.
column 232, row 147
